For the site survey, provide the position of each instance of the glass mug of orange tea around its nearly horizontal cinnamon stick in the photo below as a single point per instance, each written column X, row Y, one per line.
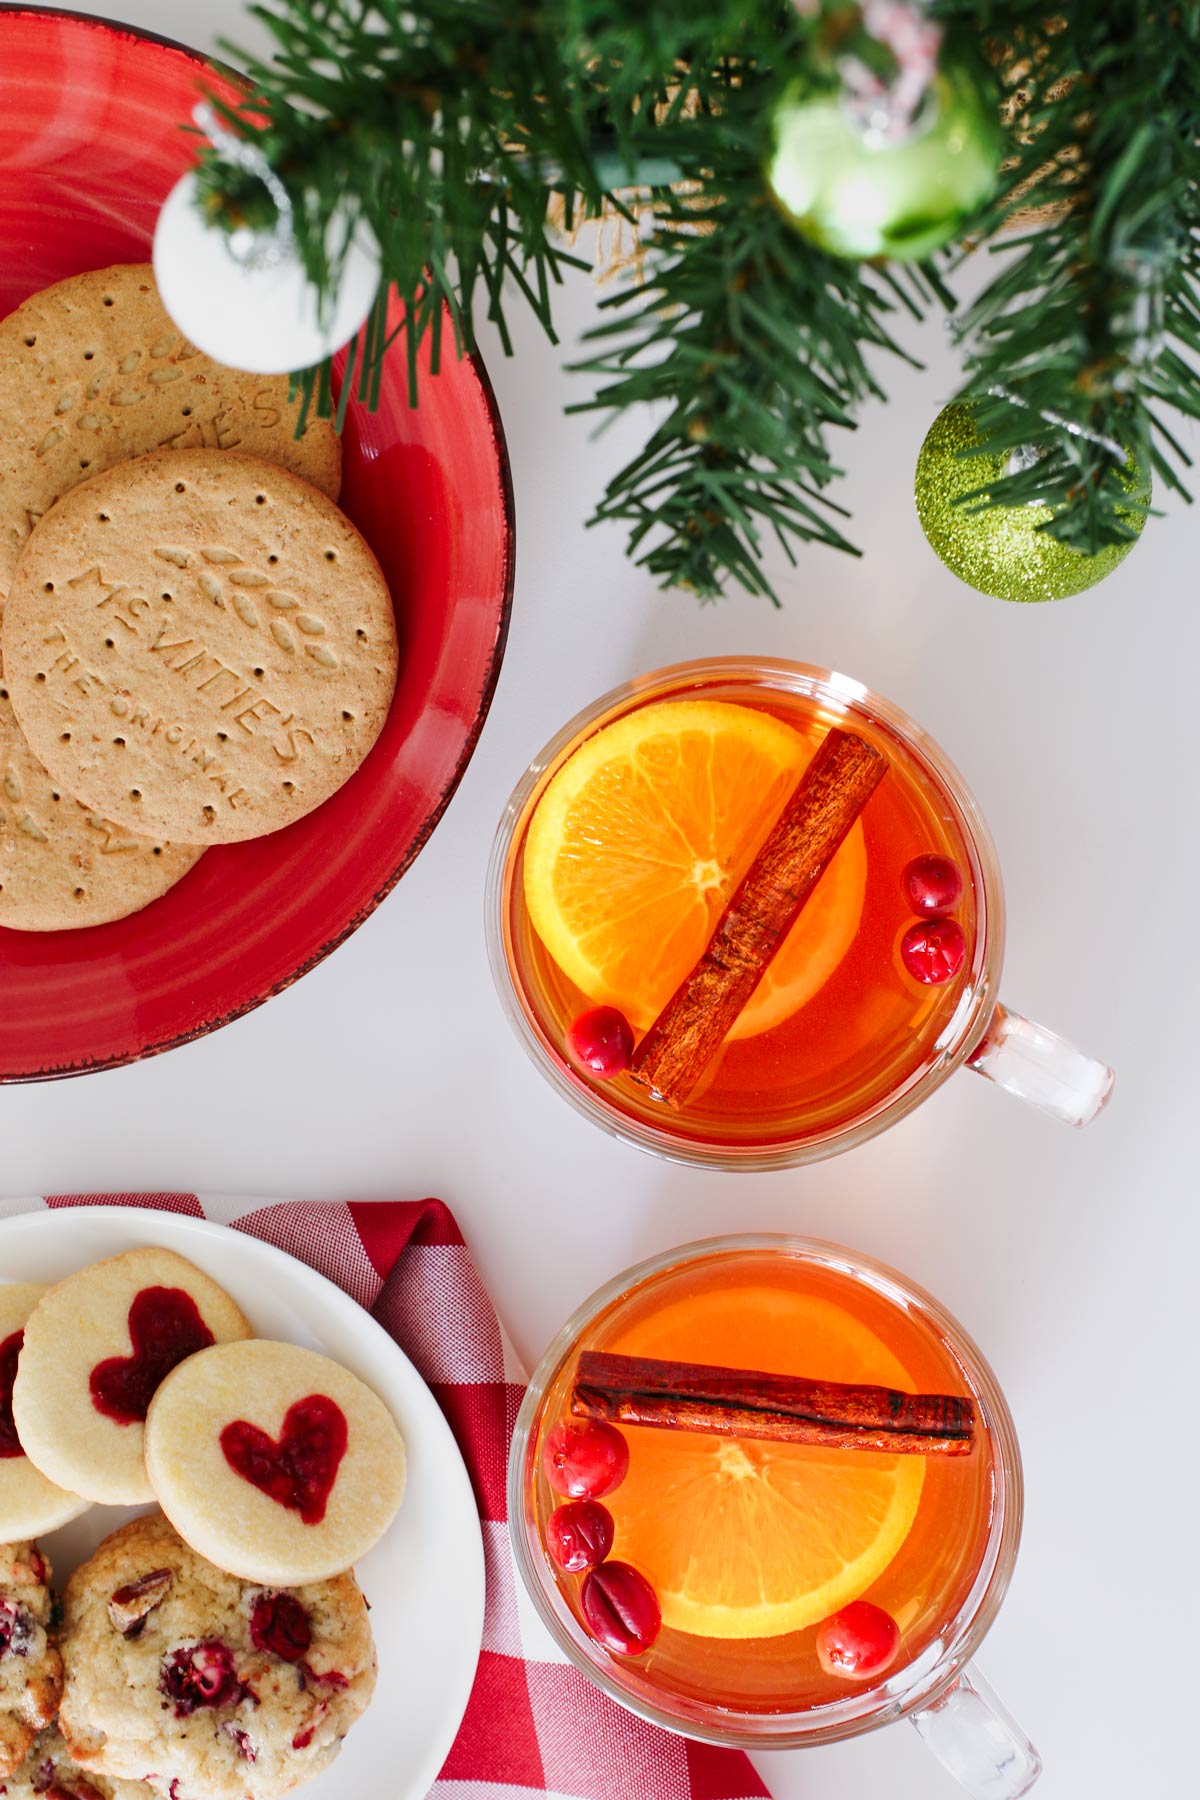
column 931, row 1540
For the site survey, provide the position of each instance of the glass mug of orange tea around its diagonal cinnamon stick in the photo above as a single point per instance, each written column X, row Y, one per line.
column 631, row 834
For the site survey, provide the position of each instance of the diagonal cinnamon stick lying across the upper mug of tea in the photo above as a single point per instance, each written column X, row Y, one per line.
column 771, row 897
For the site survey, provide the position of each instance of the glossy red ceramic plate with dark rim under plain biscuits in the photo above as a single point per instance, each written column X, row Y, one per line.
column 89, row 147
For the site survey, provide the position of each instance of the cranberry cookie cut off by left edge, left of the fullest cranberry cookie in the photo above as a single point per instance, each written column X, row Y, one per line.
column 31, row 1673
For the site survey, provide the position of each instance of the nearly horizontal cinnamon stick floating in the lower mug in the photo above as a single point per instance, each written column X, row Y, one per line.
column 740, row 1403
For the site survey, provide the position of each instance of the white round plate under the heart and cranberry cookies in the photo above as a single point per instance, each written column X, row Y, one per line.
column 425, row 1579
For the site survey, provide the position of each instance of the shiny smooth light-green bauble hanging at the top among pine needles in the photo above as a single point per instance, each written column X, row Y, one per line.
column 859, row 193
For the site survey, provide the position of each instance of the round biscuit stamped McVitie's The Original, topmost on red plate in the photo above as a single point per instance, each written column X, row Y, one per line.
column 201, row 647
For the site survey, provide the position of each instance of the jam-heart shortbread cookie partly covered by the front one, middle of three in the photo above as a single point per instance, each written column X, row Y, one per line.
column 96, row 1349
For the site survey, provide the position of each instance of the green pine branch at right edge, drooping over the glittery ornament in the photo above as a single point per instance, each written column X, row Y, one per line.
column 1091, row 323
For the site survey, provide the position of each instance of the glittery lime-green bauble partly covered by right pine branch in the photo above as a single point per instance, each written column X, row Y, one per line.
column 1001, row 552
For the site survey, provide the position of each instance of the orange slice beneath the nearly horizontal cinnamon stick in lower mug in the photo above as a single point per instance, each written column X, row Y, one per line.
column 746, row 1540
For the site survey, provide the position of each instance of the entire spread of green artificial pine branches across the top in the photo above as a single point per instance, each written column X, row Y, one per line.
column 451, row 127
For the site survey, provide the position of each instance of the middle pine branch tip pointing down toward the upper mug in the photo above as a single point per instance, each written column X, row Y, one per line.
column 757, row 346
